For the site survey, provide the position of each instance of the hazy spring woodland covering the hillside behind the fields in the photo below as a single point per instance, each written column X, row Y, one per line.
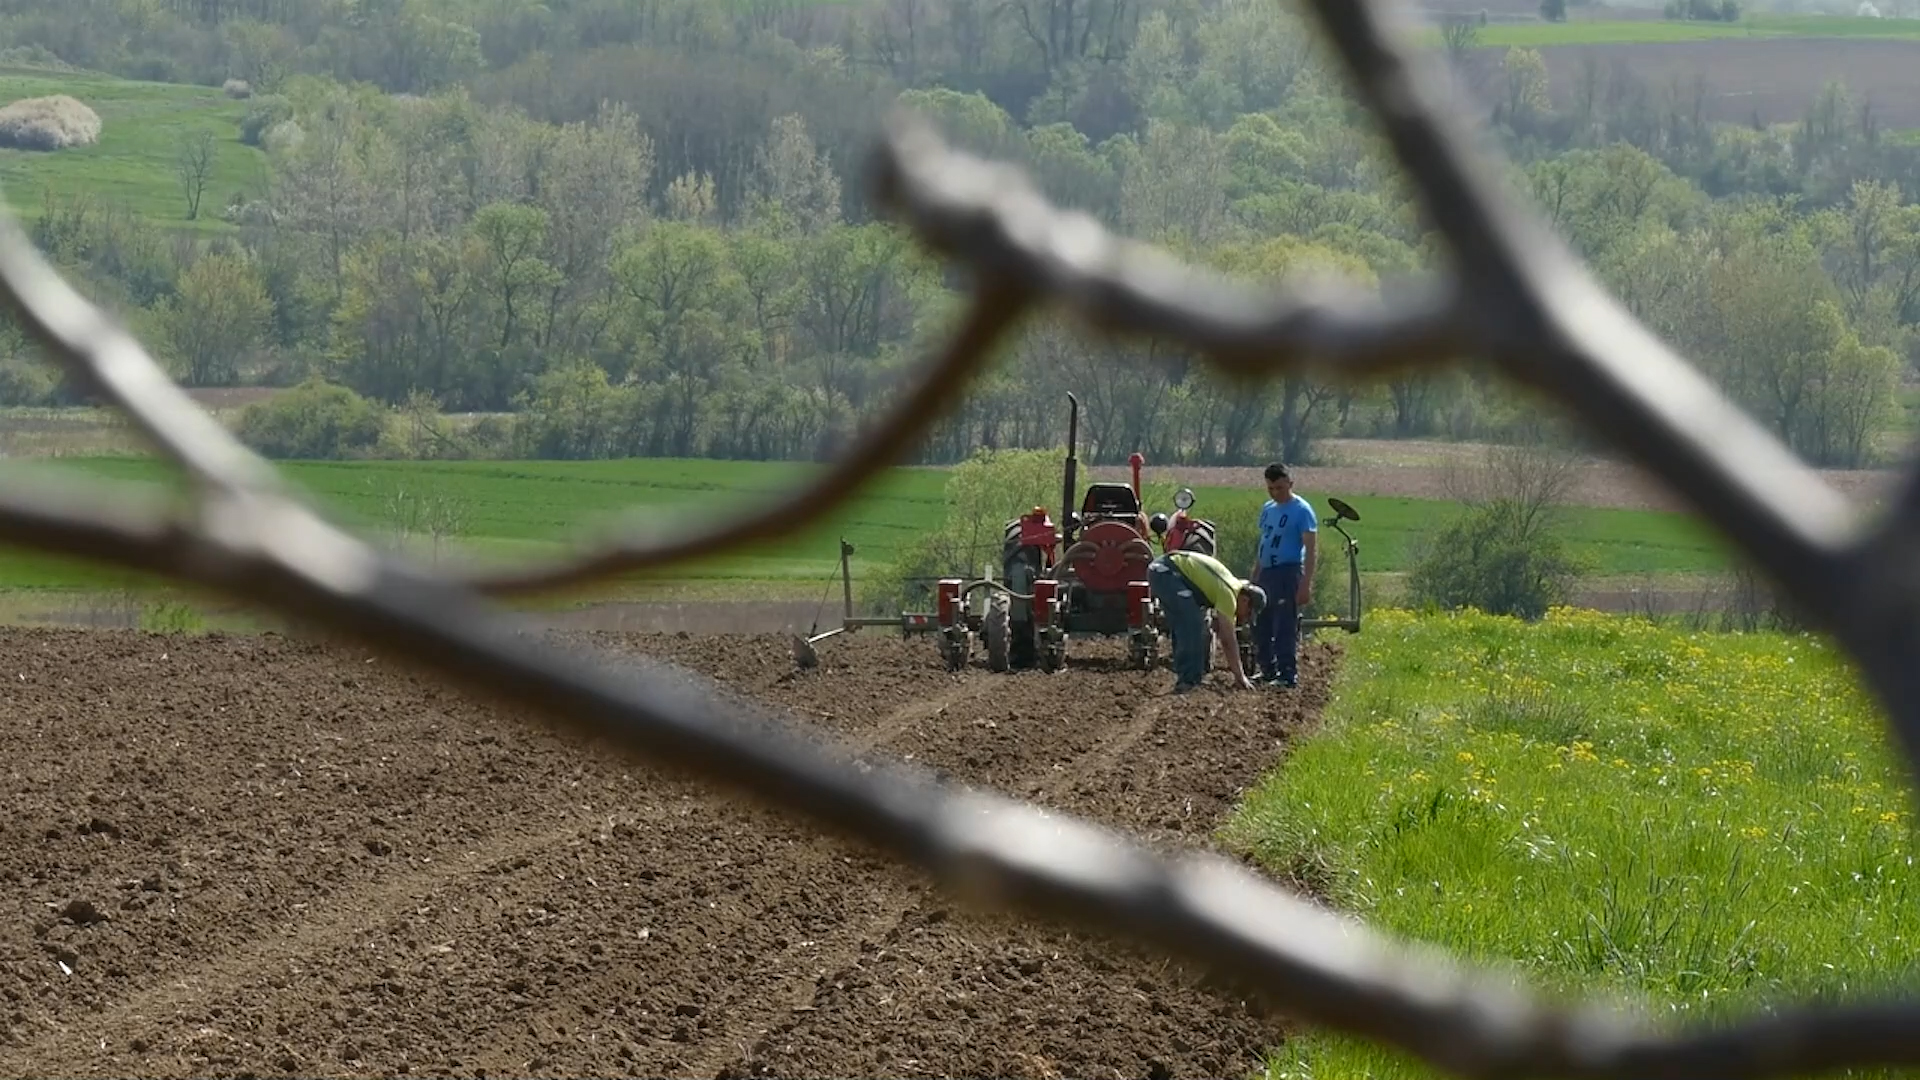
column 640, row 230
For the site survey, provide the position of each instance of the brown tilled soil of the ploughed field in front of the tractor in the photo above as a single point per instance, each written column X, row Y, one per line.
column 264, row 856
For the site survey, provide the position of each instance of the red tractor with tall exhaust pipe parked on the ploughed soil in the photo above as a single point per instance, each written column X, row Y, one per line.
column 1082, row 579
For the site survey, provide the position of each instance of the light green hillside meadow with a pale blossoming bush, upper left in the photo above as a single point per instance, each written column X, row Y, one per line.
column 141, row 132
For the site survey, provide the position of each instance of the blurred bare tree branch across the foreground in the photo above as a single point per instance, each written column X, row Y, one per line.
column 1520, row 301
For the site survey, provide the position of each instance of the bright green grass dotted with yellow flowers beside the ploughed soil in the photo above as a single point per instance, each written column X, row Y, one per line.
column 1694, row 823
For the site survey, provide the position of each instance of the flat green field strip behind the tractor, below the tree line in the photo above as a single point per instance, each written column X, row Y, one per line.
column 523, row 508
